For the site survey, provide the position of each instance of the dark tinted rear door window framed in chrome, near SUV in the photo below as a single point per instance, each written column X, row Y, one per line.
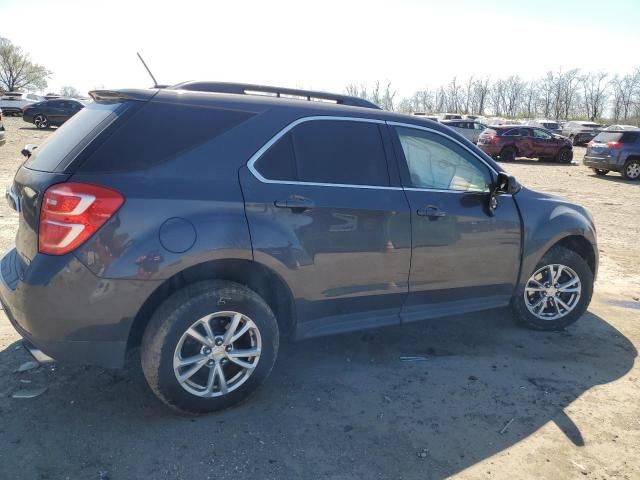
column 328, row 151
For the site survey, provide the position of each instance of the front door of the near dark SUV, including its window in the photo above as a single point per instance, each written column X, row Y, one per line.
column 464, row 258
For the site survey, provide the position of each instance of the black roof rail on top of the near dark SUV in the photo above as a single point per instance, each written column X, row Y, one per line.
column 264, row 90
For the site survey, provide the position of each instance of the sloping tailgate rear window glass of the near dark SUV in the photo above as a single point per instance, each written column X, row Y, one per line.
column 73, row 136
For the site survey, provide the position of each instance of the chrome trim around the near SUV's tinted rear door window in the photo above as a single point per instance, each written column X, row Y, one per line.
column 285, row 130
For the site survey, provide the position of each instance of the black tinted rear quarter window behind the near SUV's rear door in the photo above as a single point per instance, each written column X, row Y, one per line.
column 158, row 132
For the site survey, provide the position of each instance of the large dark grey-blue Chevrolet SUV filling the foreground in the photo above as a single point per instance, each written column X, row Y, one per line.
column 205, row 221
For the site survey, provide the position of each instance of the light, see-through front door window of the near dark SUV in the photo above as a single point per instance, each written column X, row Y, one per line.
column 437, row 163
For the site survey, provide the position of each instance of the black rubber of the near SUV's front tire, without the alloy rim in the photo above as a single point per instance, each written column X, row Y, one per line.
column 569, row 258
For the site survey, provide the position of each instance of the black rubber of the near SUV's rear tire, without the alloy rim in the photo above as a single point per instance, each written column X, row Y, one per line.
column 177, row 314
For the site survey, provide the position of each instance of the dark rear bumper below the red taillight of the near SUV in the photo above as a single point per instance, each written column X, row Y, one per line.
column 67, row 312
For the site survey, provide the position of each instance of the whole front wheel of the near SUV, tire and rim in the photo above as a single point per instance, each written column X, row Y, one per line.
column 574, row 266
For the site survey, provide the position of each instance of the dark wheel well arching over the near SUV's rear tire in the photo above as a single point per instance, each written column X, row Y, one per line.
column 255, row 276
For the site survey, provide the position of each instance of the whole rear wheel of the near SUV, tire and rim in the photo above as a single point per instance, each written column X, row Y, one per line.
column 166, row 342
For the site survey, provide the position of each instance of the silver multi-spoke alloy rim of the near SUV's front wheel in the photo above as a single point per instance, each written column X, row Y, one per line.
column 552, row 292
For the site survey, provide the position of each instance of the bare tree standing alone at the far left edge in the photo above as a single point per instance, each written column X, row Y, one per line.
column 17, row 71
